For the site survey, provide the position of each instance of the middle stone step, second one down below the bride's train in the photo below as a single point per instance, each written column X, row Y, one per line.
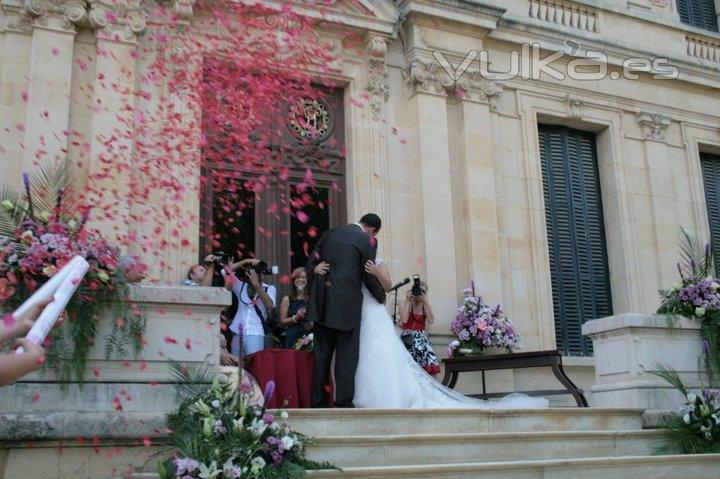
column 357, row 451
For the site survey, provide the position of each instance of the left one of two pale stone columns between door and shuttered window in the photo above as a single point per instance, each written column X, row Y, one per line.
column 435, row 211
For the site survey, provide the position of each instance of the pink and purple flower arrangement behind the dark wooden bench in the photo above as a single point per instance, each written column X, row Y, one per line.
column 479, row 326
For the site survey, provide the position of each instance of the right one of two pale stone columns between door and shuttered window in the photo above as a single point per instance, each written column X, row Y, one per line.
column 478, row 197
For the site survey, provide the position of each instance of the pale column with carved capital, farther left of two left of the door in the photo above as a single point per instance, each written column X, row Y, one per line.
column 48, row 91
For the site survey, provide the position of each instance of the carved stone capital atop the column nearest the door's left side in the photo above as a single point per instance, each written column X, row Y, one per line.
column 124, row 18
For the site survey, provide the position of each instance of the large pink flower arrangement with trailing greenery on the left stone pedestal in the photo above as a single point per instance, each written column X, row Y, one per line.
column 40, row 231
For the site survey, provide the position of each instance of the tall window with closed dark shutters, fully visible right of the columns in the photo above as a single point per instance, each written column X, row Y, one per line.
column 576, row 234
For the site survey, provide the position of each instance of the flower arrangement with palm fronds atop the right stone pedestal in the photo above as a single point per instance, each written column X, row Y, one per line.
column 697, row 295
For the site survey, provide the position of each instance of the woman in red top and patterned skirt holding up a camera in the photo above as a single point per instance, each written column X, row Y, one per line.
column 415, row 314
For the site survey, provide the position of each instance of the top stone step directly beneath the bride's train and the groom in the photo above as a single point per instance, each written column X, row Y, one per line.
column 366, row 422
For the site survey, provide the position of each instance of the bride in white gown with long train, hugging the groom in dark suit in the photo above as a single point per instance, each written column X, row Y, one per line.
column 388, row 377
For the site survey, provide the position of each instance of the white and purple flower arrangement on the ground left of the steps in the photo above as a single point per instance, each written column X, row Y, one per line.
column 219, row 433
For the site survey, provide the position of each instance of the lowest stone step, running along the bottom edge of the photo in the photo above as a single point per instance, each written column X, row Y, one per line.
column 625, row 467
